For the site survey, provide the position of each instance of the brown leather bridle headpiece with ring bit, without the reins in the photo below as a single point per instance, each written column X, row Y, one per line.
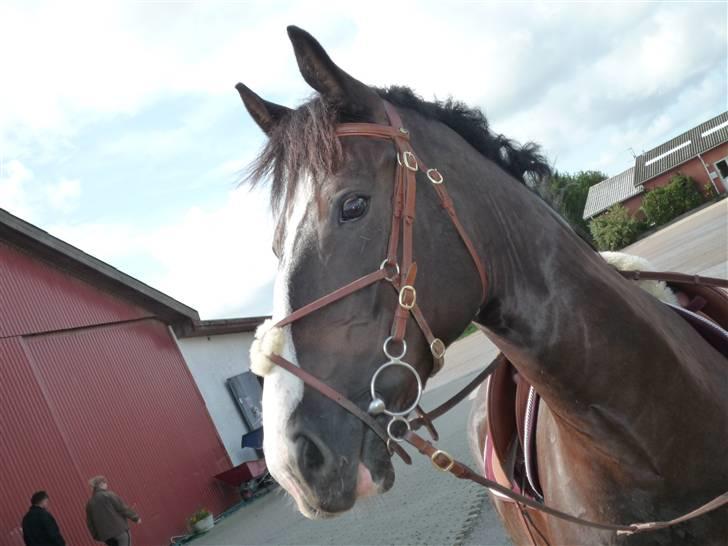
column 399, row 273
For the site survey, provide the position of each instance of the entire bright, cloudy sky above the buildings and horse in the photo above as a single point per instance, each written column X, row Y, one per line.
column 121, row 131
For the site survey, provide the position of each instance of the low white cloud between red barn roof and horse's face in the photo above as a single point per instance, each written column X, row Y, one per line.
column 214, row 259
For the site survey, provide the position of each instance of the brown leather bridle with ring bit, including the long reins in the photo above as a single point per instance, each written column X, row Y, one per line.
column 401, row 274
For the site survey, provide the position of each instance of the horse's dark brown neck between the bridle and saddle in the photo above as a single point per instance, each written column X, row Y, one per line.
column 592, row 344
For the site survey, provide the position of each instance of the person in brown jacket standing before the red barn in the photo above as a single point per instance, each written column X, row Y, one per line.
column 107, row 515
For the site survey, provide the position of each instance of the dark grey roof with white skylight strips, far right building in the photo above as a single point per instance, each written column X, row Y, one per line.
column 682, row 148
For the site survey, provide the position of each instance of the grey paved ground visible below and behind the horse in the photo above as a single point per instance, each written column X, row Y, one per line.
column 427, row 507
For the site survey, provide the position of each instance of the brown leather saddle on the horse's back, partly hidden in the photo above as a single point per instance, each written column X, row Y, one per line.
column 510, row 450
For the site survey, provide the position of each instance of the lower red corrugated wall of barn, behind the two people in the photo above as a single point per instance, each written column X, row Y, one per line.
column 115, row 400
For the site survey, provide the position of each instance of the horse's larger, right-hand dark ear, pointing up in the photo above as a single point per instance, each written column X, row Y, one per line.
column 324, row 76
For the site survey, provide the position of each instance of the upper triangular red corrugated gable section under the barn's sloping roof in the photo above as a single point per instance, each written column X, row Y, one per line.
column 37, row 297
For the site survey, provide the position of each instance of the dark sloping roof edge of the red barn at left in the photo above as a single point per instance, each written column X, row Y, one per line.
column 45, row 246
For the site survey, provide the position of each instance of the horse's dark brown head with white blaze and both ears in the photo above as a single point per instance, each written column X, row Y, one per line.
column 333, row 197
